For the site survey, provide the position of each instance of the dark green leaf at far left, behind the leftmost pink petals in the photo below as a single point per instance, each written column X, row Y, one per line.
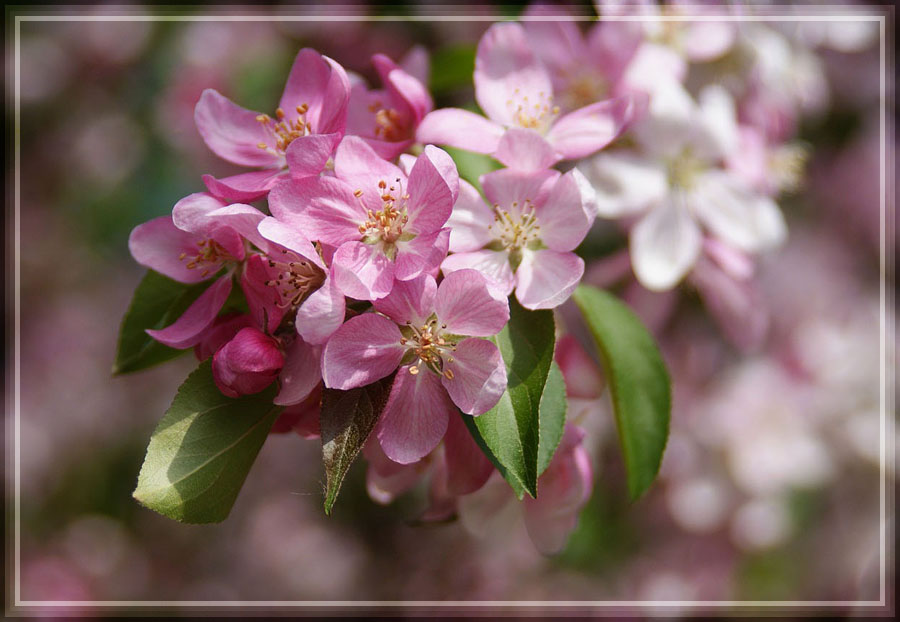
column 158, row 301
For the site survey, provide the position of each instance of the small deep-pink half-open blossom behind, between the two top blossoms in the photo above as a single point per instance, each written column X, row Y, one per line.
column 387, row 118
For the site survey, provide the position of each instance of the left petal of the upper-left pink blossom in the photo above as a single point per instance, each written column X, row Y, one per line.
column 233, row 133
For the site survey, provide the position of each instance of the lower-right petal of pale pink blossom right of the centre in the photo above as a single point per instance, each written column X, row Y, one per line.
column 546, row 278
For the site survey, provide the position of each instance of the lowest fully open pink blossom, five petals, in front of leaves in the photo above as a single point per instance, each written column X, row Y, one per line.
column 436, row 329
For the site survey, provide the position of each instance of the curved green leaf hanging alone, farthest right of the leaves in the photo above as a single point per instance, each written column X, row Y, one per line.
column 638, row 382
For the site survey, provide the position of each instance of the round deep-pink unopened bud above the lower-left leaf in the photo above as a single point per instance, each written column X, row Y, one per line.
column 247, row 364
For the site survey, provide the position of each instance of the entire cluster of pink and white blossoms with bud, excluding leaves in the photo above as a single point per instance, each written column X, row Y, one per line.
column 366, row 256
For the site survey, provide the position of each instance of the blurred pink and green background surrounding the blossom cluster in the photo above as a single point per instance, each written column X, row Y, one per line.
column 770, row 484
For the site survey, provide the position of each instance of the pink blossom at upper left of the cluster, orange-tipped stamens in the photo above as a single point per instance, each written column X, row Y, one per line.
column 309, row 122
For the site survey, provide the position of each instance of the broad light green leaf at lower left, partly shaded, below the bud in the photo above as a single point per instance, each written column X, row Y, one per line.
column 201, row 451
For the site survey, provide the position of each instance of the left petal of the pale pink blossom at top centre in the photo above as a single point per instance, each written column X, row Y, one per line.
column 459, row 128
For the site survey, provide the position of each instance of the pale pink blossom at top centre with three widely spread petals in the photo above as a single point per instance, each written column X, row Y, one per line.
column 524, row 128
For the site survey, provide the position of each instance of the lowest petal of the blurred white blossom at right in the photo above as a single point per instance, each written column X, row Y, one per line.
column 665, row 245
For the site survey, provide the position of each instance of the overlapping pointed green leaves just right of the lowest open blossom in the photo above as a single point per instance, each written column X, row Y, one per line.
column 512, row 431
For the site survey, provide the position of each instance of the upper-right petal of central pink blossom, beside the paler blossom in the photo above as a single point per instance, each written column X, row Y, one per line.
column 433, row 188
